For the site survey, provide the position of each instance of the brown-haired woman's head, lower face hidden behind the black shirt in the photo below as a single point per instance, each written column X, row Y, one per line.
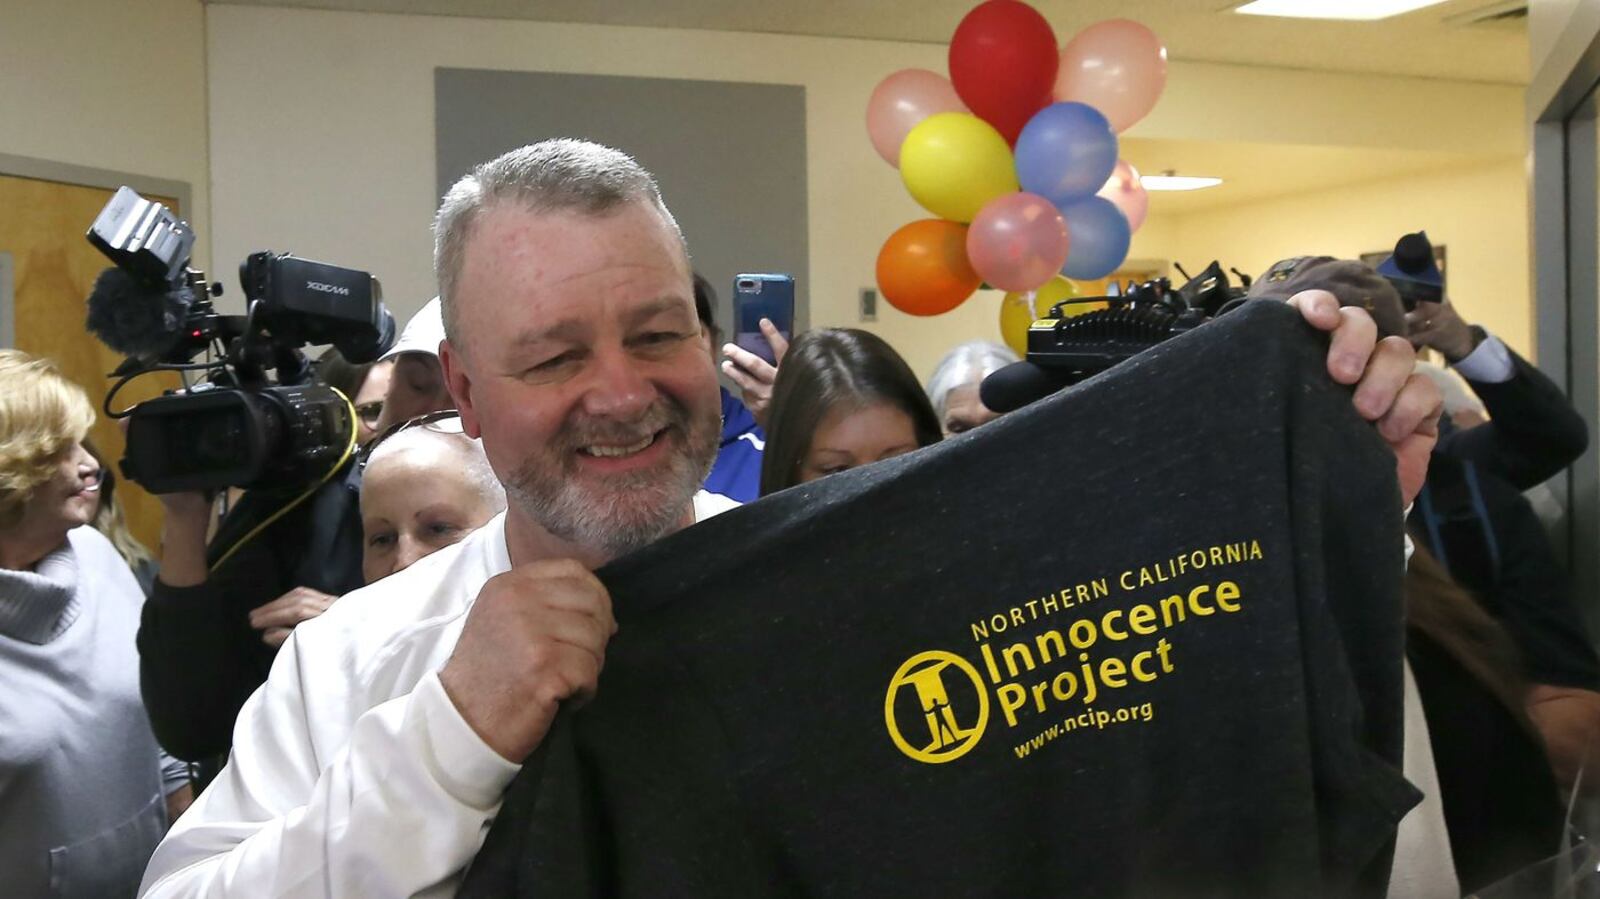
column 842, row 399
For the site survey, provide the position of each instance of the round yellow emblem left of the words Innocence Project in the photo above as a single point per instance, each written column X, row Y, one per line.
column 951, row 733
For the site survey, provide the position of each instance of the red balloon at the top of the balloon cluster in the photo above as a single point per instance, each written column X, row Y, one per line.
column 1004, row 65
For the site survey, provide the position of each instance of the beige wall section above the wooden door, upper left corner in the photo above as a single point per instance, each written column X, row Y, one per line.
column 110, row 86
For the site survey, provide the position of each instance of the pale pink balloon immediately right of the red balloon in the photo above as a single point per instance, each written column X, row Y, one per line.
column 1116, row 66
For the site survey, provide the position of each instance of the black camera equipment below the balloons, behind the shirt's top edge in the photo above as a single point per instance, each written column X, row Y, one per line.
column 1071, row 345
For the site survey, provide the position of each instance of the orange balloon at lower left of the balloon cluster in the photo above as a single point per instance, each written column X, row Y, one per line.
column 924, row 270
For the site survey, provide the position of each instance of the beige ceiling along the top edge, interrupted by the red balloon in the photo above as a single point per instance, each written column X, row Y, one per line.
column 1436, row 42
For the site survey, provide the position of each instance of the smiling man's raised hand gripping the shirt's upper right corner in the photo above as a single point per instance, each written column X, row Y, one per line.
column 1404, row 406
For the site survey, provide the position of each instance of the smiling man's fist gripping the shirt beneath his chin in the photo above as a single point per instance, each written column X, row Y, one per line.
column 535, row 636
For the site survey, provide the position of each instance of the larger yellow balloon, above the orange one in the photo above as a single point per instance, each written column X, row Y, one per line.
column 954, row 164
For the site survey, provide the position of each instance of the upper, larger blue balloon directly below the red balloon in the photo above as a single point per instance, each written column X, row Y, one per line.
column 1066, row 153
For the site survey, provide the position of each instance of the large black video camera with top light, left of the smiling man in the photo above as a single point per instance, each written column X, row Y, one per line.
column 241, row 426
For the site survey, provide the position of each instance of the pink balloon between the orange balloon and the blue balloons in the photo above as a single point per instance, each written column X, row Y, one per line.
column 1018, row 242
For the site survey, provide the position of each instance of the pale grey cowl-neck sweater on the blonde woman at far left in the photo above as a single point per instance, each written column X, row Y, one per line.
column 82, row 783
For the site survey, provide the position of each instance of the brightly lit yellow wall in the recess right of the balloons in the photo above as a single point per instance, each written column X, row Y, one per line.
column 1481, row 215
